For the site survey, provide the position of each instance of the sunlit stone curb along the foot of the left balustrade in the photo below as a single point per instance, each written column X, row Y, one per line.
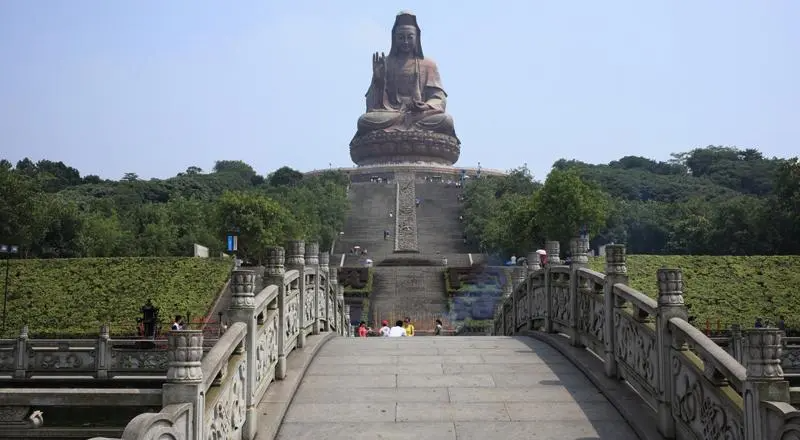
column 276, row 401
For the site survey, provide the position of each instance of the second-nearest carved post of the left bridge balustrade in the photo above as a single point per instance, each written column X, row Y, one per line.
column 243, row 309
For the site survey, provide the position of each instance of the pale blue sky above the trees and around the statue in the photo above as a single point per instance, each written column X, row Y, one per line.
column 154, row 87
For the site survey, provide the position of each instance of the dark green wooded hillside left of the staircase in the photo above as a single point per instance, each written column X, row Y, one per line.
column 51, row 211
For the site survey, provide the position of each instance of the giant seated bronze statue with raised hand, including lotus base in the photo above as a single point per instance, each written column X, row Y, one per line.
column 405, row 120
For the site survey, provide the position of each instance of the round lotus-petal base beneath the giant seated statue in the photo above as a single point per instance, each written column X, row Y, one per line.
column 399, row 147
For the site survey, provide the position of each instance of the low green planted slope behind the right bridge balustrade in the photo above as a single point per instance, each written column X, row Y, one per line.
column 730, row 289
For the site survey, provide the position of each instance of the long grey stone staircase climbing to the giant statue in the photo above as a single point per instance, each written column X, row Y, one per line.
column 408, row 267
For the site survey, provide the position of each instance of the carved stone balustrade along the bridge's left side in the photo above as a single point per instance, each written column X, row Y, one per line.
column 215, row 395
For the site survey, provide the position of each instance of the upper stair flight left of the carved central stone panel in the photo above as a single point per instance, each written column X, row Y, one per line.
column 370, row 205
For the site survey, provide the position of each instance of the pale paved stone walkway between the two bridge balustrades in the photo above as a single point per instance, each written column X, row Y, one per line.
column 444, row 388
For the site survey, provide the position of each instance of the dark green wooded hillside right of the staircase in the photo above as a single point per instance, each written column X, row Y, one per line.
column 709, row 201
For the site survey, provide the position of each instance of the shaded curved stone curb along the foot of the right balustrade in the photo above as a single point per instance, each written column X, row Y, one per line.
column 629, row 404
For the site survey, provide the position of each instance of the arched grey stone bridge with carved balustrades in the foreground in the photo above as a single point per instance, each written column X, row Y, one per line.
column 559, row 367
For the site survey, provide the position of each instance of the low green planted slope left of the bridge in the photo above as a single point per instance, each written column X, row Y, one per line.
column 74, row 297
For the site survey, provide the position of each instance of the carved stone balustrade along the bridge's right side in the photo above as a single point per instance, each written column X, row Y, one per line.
column 694, row 387
